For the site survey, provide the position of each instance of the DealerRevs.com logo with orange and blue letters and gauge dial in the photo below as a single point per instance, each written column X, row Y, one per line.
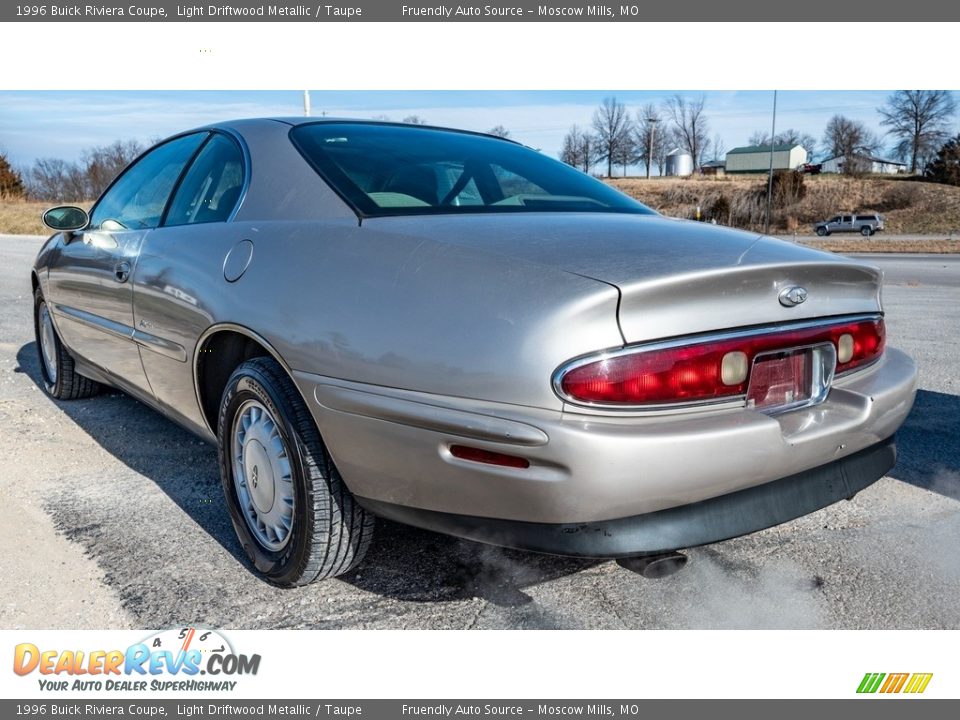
column 170, row 660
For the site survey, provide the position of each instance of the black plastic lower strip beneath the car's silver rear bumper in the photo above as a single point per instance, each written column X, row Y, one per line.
column 720, row 518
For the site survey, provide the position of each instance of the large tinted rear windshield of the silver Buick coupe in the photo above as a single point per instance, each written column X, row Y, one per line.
column 408, row 170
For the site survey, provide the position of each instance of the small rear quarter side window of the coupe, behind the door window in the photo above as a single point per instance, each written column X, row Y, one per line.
column 211, row 188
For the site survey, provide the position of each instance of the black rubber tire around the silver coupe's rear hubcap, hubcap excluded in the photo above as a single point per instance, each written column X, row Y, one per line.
column 329, row 532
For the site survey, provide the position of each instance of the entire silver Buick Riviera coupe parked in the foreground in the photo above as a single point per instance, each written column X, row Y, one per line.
column 454, row 331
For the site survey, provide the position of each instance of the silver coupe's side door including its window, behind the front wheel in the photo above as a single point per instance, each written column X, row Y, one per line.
column 90, row 288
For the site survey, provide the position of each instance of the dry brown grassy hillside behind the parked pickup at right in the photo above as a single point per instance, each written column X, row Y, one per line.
column 908, row 206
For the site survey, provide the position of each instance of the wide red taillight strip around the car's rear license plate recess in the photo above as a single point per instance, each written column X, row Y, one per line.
column 697, row 371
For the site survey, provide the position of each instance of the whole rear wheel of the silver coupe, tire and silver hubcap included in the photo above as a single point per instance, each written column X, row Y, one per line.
column 291, row 510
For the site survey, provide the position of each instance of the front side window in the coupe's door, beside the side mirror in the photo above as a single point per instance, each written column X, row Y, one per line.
column 136, row 201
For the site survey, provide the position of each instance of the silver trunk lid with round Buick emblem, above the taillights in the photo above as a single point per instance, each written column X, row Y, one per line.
column 675, row 277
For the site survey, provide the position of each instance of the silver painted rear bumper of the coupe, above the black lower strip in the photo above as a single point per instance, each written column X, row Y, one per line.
column 393, row 449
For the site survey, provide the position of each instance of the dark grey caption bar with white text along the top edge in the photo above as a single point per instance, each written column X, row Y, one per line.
column 736, row 11
